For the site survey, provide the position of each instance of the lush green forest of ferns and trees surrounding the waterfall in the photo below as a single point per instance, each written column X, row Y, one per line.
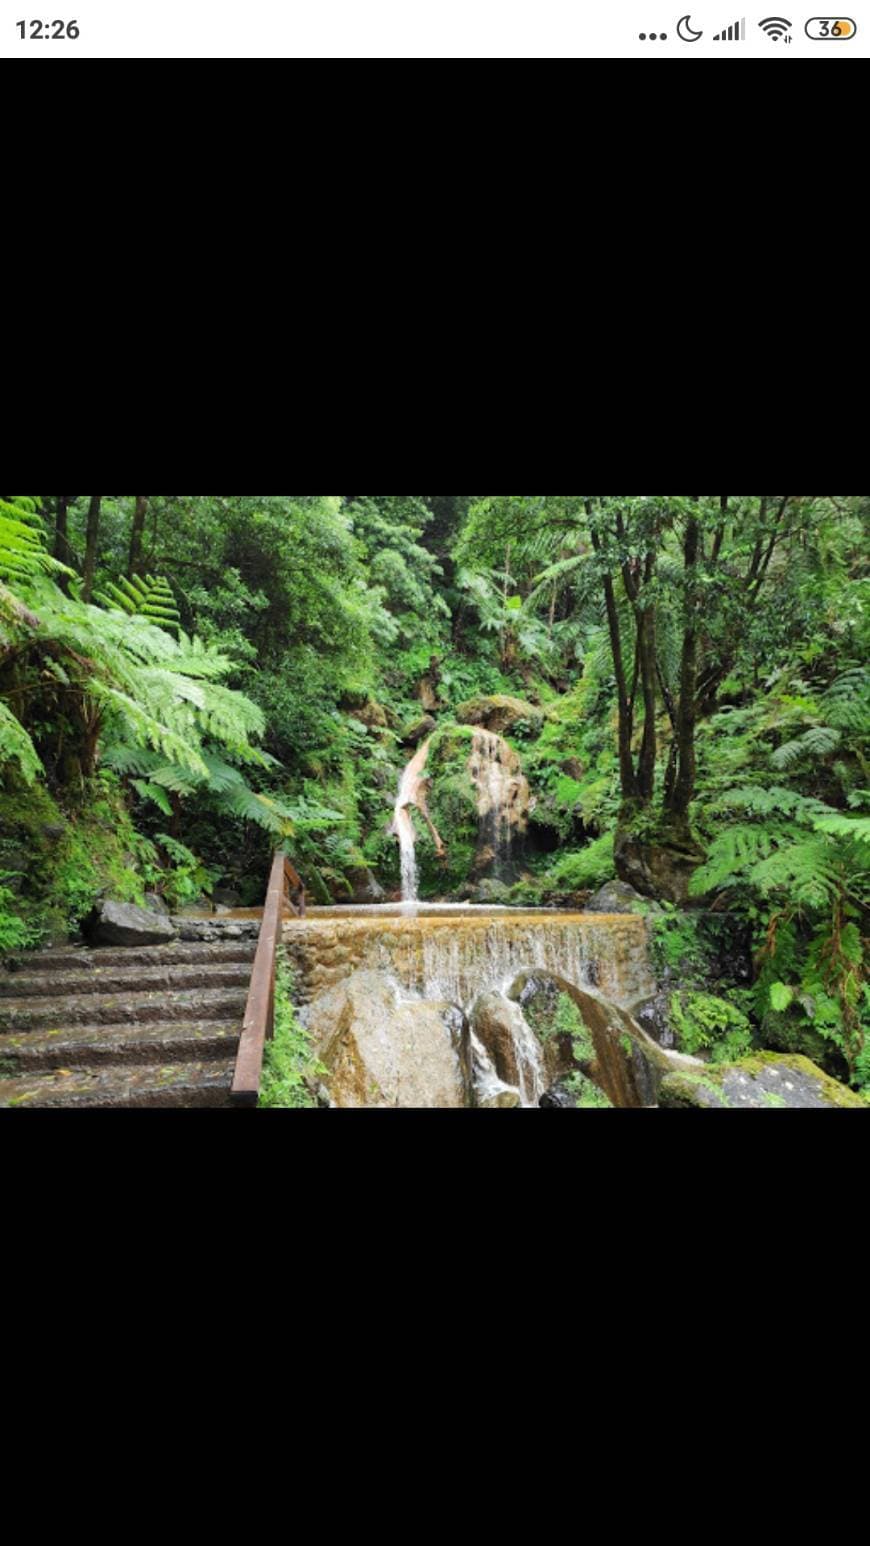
column 188, row 681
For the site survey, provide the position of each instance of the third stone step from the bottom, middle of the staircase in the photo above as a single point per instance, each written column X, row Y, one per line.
column 126, row 1009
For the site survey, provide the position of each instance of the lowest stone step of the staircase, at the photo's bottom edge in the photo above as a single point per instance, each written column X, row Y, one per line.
column 185, row 1085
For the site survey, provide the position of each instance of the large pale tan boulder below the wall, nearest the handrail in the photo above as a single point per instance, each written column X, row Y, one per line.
column 382, row 1051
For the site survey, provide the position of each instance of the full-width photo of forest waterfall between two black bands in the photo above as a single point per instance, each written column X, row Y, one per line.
column 435, row 803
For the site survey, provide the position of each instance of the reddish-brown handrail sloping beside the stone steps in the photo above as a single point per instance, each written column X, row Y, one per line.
column 287, row 893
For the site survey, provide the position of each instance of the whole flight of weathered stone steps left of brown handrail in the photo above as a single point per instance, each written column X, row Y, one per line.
column 124, row 1027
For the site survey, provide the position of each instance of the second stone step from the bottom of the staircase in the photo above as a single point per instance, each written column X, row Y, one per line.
column 95, row 1046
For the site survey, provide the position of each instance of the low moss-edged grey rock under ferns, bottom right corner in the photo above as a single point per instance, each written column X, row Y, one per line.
column 766, row 1080
